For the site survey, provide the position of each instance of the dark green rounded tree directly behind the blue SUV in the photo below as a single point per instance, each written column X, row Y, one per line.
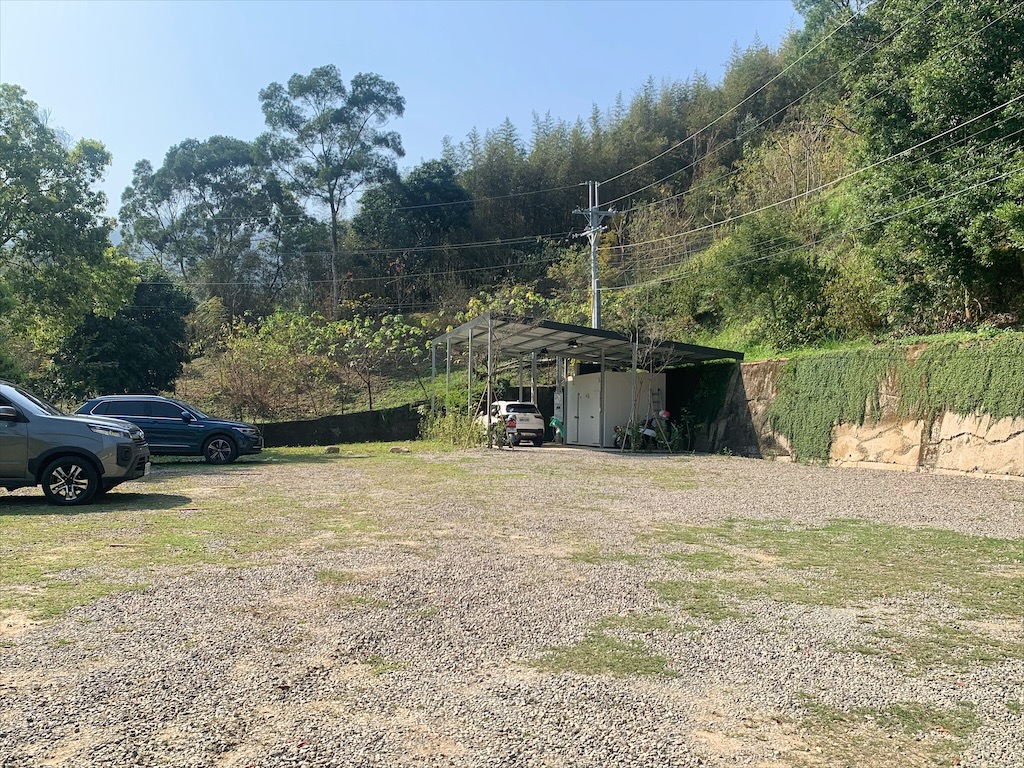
column 141, row 350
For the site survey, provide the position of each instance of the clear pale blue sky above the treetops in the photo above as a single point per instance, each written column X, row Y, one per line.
column 144, row 76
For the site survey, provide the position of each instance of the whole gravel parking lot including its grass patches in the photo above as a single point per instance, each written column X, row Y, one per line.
column 529, row 608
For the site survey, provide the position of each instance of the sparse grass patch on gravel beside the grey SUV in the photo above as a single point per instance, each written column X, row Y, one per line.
column 186, row 516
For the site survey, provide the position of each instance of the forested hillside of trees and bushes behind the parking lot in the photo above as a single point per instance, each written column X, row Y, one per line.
column 866, row 181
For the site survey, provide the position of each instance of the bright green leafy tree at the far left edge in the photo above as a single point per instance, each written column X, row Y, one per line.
column 56, row 259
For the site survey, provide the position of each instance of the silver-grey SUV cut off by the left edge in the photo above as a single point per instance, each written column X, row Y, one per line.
column 74, row 458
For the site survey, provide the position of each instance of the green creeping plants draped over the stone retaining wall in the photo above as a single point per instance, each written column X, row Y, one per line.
column 963, row 375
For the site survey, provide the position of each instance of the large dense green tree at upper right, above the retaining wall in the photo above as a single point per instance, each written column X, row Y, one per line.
column 942, row 122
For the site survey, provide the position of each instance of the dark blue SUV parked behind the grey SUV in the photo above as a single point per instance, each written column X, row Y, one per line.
column 176, row 429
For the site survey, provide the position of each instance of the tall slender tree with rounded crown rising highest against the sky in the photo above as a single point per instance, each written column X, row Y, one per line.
column 329, row 140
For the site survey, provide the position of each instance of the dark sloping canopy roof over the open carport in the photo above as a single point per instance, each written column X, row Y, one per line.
column 521, row 337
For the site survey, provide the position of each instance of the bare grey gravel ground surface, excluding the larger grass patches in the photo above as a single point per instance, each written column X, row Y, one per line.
column 429, row 650
